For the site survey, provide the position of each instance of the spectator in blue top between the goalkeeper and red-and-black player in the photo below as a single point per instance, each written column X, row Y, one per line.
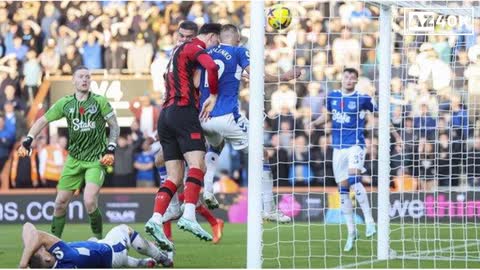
column 144, row 163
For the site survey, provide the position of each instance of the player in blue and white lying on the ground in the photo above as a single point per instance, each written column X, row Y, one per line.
column 43, row 250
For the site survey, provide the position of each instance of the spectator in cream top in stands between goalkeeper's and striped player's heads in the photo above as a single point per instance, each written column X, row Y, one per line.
column 140, row 56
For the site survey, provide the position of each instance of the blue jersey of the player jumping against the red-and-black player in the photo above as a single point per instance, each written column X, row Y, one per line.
column 231, row 61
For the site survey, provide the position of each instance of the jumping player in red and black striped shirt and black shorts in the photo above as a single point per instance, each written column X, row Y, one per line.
column 181, row 134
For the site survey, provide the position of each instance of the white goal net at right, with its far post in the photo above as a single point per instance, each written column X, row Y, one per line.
column 428, row 87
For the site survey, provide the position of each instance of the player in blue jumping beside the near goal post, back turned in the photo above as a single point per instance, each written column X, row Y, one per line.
column 225, row 122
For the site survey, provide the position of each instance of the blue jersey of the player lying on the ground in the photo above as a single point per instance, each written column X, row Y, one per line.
column 85, row 254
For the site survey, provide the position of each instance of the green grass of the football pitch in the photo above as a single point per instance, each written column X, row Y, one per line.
column 296, row 246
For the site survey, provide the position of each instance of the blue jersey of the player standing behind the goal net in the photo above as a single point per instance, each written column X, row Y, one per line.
column 348, row 117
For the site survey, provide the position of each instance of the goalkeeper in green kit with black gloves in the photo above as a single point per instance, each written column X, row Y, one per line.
column 86, row 115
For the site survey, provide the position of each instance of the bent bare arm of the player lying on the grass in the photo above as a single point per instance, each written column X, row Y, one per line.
column 34, row 239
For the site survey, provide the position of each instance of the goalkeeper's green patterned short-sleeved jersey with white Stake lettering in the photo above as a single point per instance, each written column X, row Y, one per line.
column 86, row 124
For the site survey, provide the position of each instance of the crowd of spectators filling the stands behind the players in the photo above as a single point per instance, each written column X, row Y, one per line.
column 434, row 98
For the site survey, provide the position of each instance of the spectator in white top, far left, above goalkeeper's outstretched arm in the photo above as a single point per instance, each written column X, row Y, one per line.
column 32, row 72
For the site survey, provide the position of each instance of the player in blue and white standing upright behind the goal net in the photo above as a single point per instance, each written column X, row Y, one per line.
column 347, row 109
